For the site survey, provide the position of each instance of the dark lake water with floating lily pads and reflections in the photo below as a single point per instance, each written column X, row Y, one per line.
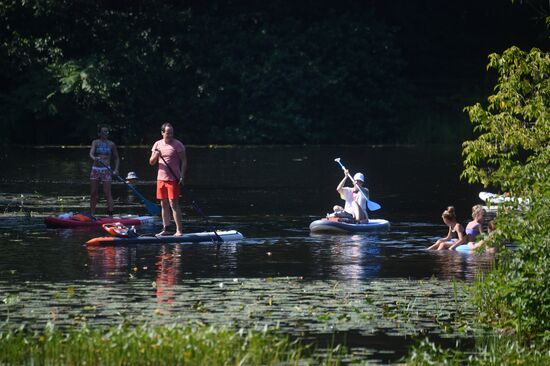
column 378, row 291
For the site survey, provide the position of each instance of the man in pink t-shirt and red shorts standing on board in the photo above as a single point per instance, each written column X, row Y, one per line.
column 170, row 155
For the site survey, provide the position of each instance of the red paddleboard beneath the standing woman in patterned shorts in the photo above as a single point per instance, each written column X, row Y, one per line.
column 79, row 220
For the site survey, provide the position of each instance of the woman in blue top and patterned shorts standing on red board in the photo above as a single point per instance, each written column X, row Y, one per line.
column 101, row 152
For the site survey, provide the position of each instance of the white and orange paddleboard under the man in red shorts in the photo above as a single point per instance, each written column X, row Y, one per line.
column 202, row 237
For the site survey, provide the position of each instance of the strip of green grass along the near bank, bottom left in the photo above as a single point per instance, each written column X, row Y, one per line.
column 160, row 345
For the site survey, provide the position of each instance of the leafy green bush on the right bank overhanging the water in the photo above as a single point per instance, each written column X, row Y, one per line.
column 512, row 154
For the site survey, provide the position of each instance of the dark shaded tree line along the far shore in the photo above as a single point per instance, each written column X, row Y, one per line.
column 225, row 71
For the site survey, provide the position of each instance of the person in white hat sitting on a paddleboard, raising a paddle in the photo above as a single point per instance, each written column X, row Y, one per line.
column 356, row 204
